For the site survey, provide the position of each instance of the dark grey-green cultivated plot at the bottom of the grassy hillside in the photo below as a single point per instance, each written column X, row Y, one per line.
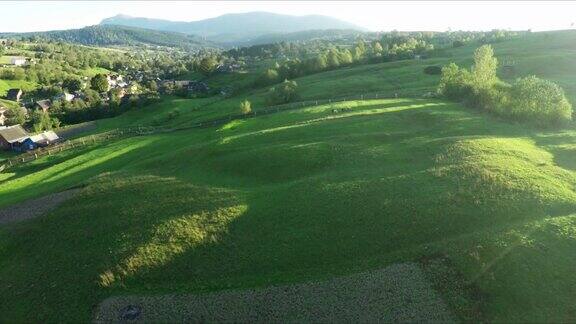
column 399, row 293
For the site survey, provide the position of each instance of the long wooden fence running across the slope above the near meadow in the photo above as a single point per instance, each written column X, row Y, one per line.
column 149, row 130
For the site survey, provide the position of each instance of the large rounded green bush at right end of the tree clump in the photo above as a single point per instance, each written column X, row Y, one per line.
column 540, row 101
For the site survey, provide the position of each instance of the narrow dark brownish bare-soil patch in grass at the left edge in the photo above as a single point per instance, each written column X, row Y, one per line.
column 34, row 207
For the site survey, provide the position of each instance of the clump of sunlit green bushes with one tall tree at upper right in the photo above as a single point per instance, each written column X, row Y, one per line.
column 527, row 99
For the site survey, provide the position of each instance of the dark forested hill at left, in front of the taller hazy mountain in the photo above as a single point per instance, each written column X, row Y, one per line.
column 106, row 35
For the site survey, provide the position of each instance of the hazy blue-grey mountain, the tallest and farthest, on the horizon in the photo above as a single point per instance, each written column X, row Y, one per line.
column 232, row 28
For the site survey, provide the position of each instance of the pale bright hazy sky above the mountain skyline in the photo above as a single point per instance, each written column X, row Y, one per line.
column 377, row 16
